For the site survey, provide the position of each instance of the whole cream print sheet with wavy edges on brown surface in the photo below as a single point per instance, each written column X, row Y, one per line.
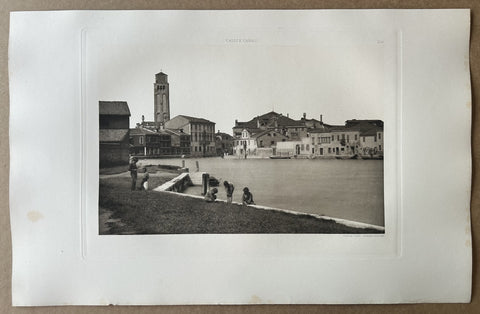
column 351, row 129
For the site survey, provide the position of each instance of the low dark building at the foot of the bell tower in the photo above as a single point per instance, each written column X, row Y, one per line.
column 148, row 143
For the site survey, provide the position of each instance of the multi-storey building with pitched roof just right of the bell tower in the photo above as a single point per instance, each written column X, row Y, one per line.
column 201, row 131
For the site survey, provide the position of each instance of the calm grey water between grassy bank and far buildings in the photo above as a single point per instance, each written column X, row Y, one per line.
column 349, row 189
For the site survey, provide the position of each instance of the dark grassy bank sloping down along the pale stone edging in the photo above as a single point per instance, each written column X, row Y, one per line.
column 141, row 212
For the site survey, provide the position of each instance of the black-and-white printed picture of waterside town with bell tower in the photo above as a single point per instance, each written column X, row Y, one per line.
column 241, row 137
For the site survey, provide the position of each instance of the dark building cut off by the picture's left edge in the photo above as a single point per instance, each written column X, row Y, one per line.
column 114, row 121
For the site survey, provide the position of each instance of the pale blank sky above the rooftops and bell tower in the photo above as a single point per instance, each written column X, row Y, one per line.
column 222, row 81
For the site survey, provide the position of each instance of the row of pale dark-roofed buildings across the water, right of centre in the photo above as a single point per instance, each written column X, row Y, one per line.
column 315, row 139
